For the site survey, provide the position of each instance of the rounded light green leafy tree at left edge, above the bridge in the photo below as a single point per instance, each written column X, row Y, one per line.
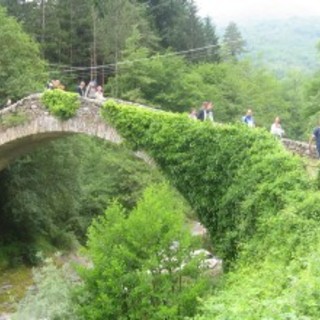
column 22, row 71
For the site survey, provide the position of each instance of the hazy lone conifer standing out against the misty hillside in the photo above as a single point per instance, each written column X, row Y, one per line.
column 233, row 44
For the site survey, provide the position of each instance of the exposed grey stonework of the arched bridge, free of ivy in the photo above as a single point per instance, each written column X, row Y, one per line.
column 28, row 124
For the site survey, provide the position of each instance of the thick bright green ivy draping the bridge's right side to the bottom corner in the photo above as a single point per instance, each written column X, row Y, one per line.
column 256, row 200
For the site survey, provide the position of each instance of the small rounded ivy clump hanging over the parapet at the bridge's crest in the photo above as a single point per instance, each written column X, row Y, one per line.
column 62, row 104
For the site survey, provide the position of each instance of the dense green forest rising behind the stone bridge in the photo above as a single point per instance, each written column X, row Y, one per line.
column 161, row 53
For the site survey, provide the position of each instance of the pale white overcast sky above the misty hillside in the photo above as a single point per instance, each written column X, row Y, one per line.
column 224, row 11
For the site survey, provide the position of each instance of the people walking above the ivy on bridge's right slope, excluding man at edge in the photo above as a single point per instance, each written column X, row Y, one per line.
column 206, row 114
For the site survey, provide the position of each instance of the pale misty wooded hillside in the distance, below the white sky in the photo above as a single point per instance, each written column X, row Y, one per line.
column 283, row 44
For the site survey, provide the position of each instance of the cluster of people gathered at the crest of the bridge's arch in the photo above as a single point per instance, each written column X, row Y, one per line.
column 92, row 90
